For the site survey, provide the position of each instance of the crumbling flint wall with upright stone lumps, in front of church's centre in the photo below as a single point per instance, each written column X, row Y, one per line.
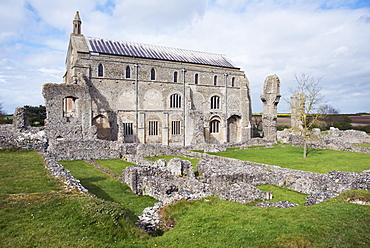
column 161, row 182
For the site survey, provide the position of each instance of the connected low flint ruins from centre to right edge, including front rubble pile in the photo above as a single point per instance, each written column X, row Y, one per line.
column 231, row 180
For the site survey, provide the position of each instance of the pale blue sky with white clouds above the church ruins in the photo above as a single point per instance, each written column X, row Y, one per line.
column 328, row 39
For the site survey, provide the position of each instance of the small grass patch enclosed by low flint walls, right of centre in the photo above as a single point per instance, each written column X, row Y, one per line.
column 280, row 194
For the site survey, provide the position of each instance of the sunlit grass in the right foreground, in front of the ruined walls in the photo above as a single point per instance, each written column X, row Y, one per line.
column 217, row 223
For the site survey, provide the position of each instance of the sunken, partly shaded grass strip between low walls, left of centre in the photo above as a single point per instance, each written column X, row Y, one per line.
column 110, row 189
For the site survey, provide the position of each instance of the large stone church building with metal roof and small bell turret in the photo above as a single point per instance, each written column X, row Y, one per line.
column 138, row 93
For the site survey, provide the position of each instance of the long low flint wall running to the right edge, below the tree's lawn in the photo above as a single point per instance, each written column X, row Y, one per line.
column 235, row 171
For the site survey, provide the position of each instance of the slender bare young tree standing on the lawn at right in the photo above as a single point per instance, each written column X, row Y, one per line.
column 307, row 106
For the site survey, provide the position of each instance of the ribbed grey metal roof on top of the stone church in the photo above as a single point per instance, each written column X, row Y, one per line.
column 132, row 49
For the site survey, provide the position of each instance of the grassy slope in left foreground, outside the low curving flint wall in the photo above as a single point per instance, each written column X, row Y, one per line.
column 36, row 212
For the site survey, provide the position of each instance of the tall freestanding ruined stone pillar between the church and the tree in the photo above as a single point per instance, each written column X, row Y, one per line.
column 270, row 98
